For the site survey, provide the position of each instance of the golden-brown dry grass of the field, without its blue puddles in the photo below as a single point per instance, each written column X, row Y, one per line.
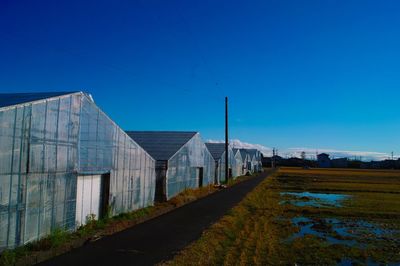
column 255, row 232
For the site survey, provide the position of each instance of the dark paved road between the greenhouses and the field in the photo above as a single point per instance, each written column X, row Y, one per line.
column 160, row 238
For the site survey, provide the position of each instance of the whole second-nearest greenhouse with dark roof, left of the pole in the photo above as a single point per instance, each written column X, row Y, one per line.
column 183, row 160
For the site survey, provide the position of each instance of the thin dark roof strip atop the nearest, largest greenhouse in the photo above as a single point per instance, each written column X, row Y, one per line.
column 9, row 99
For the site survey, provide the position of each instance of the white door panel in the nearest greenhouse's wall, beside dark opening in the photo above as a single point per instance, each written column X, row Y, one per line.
column 87, row 198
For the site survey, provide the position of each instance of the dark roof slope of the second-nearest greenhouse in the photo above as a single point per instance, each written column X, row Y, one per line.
column 161, row 145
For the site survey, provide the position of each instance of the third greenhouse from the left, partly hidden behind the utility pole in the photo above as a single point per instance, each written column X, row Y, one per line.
column 217, row 150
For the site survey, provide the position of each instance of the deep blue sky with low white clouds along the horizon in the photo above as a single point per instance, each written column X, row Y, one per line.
column 299, row 74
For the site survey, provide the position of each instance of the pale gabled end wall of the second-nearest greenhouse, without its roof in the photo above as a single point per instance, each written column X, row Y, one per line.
column 183, row 167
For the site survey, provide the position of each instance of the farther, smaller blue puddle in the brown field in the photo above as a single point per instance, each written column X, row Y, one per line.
column 310, row 199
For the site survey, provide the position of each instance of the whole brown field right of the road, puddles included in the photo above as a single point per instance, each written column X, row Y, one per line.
column 308, row 217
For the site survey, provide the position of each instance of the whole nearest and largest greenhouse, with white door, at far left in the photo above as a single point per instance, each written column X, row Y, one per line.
column 61, row 160
